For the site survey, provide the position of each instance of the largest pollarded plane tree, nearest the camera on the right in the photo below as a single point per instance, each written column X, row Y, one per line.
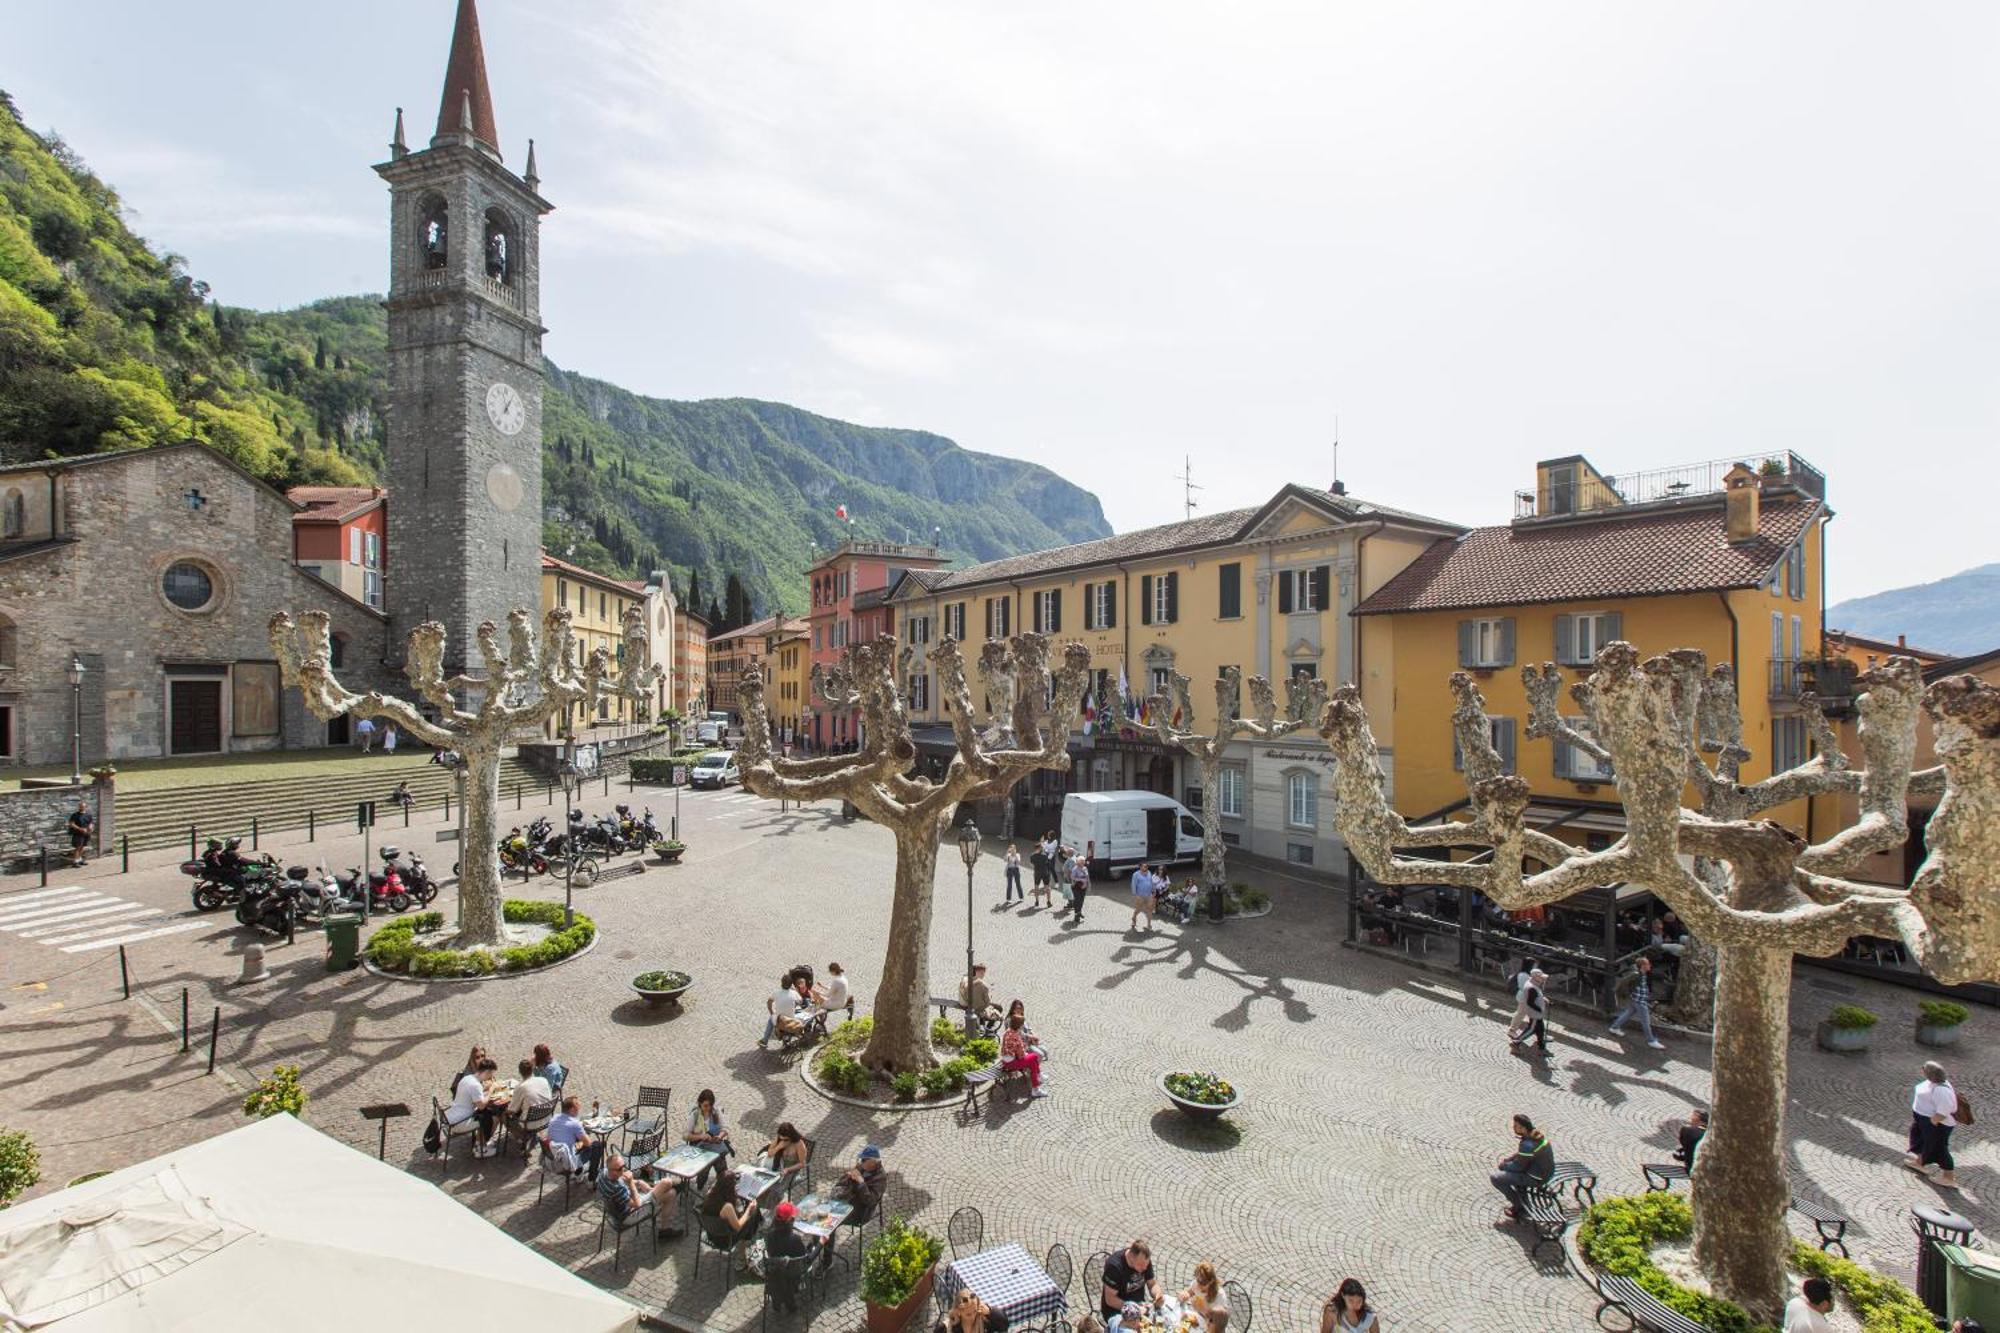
column 1773, row 896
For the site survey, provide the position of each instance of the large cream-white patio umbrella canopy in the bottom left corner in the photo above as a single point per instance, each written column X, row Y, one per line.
column 277, row 1226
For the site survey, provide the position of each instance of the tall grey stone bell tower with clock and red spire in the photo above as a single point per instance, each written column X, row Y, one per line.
column 465, row 341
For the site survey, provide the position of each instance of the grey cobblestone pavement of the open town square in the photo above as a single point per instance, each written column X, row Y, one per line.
column 1377, row 1098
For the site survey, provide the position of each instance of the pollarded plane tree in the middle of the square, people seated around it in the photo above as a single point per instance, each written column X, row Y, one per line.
column 1031, row 712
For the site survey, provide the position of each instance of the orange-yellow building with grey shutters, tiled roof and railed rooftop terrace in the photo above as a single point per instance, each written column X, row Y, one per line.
column 1723, row 559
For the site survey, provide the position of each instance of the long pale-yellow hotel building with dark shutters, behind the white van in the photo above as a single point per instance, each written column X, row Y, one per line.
column 1265, row 589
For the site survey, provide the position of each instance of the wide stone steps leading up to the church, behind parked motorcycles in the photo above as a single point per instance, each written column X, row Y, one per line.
column 163, row 818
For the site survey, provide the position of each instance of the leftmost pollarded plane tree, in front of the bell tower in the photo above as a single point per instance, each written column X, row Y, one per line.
column 523, row 688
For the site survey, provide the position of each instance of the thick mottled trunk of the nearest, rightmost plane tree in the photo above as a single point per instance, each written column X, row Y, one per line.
column 1741, row 1188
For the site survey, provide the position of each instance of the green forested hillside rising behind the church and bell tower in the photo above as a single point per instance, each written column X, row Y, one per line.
column 107, row 345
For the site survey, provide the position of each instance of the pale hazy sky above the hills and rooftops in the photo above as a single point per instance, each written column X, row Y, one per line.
column 1107, row 237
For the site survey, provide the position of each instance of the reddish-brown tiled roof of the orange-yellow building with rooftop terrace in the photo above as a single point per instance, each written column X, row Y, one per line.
column 1657, row 553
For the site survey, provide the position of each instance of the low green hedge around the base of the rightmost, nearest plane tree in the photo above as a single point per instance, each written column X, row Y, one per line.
column 1619, row 1236
